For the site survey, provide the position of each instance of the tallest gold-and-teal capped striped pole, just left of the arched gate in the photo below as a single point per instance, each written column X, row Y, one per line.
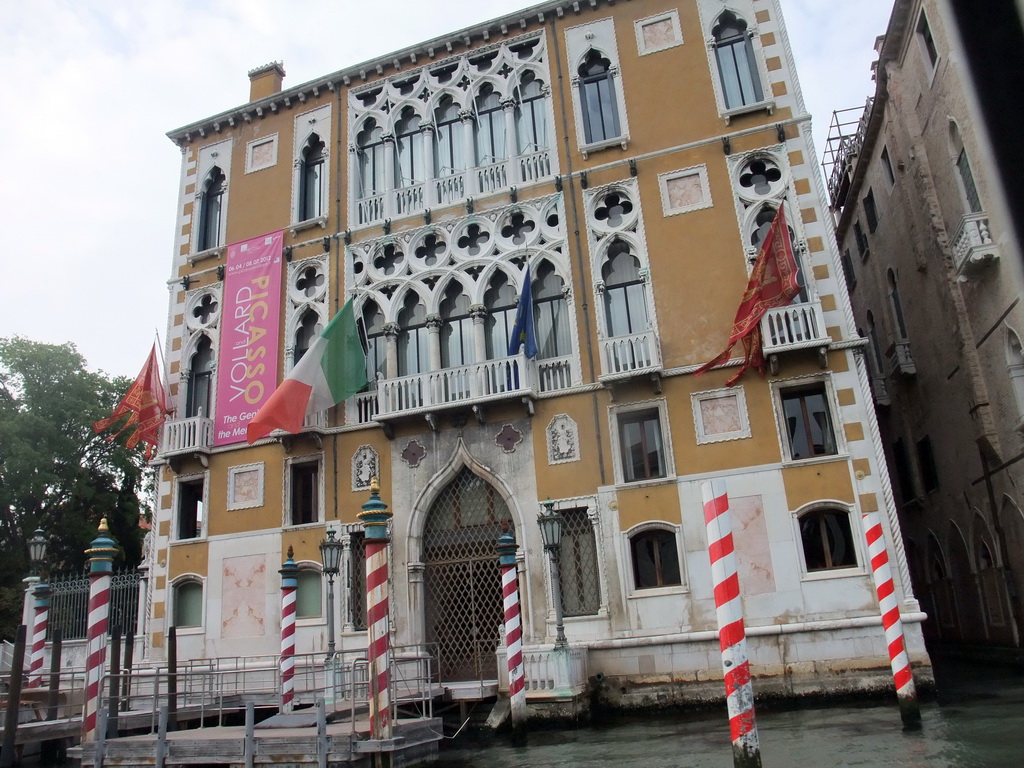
column 375, row 518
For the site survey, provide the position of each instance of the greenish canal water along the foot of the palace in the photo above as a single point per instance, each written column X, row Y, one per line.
column 976, row 720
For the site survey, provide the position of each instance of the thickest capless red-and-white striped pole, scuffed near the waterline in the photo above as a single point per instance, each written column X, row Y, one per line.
column 732, row 635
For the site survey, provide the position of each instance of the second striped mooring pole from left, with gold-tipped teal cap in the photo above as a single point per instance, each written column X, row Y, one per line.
column 101, row 554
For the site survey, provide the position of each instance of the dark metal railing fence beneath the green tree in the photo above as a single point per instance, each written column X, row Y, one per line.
column 70, row 604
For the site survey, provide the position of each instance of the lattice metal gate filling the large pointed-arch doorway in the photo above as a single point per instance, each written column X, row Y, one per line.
column 462, row 579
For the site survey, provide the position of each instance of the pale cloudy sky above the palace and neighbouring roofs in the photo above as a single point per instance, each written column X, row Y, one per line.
column 90, row 193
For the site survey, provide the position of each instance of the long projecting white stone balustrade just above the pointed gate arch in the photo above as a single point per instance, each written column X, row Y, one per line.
column 478, row 382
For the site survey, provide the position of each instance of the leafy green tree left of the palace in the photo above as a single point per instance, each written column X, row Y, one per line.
column 56, row 474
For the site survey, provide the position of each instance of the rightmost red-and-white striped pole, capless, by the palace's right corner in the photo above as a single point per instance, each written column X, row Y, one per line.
column 892, row 624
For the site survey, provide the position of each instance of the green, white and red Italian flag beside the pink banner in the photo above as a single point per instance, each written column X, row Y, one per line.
column 333, row 369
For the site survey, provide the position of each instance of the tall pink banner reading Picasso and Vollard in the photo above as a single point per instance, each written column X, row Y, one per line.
column 250, row 329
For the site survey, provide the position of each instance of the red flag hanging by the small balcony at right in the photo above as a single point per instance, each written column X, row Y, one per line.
column 774, row 283
